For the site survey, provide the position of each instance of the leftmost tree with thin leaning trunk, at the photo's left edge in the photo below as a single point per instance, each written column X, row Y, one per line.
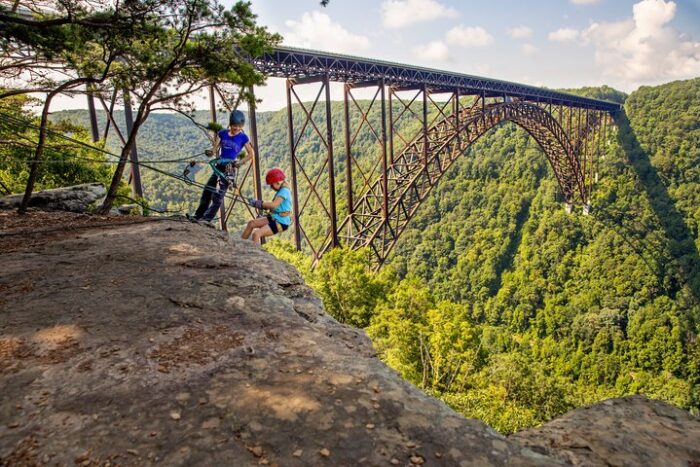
column 64, row 45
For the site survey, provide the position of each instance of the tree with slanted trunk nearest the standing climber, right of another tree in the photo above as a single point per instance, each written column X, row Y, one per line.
column 197, row 43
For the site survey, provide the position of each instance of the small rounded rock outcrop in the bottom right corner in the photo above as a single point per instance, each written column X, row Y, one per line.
column 633, row 431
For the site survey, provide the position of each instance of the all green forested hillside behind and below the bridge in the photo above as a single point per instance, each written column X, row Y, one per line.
column 495, row 299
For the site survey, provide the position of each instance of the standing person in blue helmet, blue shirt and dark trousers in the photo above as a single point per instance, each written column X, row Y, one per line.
column 229, row 145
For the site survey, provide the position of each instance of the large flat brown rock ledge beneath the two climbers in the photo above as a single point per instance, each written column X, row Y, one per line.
column 164, row 342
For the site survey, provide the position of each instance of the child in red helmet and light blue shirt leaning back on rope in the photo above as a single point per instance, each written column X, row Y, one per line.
column 280, row 217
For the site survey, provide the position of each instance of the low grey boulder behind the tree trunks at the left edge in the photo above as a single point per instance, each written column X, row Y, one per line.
column 73, row 198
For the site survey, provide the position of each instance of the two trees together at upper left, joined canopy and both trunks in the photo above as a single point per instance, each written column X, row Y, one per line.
column 161, row 52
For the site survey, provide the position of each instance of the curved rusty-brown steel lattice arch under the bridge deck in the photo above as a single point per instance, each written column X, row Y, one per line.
column 378, row 225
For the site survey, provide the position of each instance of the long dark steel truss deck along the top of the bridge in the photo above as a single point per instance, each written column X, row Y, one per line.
column 288, row 62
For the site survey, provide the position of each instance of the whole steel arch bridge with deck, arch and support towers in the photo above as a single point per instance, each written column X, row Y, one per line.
column 369, row 204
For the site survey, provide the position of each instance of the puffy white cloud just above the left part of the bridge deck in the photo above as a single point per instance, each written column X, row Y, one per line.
column 316, row 30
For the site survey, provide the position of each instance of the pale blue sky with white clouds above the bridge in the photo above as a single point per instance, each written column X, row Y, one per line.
column 553, row 43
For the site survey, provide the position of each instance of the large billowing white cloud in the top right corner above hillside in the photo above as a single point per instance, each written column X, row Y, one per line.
column 644, row 49
